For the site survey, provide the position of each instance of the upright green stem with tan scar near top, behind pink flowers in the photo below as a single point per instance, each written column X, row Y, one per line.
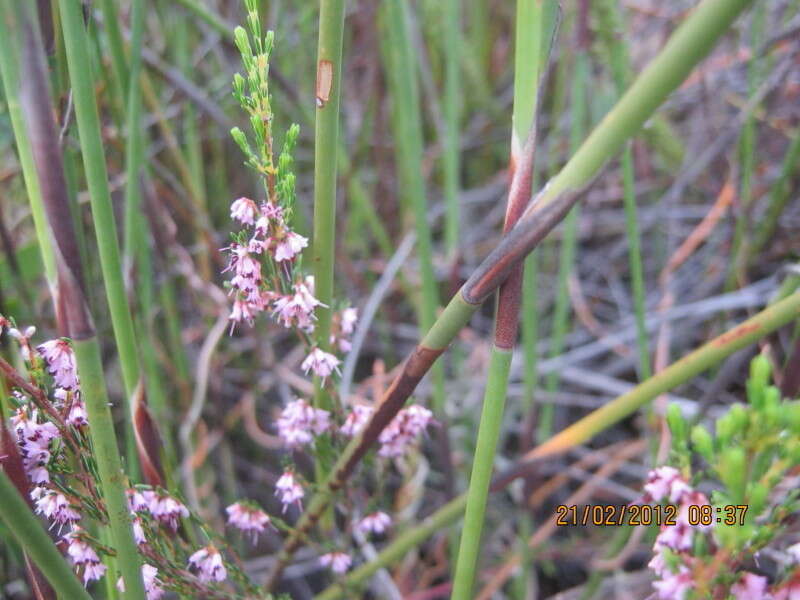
column 326, row 132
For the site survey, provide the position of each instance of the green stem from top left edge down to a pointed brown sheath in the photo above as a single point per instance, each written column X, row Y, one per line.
column 97, row 179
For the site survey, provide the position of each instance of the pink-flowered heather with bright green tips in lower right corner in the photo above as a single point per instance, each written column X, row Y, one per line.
column 735, row 496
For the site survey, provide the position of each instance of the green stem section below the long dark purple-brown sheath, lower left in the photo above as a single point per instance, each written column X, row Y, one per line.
column 106, row 453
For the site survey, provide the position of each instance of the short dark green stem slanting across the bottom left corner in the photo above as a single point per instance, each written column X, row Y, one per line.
column 31, row 536
